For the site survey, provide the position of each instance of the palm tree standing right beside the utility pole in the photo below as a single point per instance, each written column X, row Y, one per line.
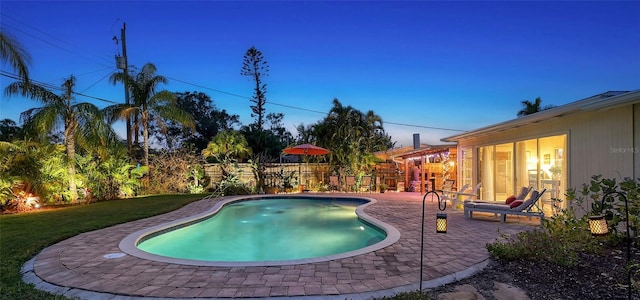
column 148, row 107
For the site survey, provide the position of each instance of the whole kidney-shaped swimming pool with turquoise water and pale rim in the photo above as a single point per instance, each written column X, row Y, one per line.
column 266, row 230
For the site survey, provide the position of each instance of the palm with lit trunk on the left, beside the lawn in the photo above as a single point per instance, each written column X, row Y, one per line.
column 82, row 122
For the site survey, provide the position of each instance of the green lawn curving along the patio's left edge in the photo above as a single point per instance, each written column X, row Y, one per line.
column 22, row 236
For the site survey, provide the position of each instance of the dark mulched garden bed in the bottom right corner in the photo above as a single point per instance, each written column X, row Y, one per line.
column 595, row 277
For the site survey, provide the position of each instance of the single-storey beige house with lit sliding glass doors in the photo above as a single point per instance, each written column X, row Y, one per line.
column 556, row 149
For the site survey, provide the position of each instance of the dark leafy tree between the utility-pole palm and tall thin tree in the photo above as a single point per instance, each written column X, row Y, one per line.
column 208, row 119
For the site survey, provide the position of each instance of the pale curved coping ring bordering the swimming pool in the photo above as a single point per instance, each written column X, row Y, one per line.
column 129, row 244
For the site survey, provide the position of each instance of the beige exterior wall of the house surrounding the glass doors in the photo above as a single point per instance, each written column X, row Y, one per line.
column 600, row 142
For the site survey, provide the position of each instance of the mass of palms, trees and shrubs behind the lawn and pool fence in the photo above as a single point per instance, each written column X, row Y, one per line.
column 67, row 152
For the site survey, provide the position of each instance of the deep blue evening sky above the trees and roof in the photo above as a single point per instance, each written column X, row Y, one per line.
column 454, row 65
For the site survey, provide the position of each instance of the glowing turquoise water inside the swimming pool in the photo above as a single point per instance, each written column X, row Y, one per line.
column 270, row 229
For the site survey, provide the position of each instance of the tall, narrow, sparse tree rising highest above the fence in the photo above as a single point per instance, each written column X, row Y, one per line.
column 256, row 67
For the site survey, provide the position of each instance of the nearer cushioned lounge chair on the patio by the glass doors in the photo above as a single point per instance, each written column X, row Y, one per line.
column 528, row 208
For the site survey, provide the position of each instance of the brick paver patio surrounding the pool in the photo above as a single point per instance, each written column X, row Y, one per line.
column 77, row 267
